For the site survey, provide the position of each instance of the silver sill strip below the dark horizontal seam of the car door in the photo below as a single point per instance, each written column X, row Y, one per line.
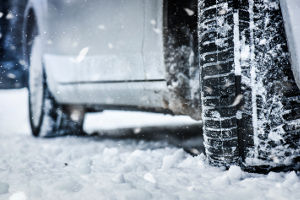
column 144, row 95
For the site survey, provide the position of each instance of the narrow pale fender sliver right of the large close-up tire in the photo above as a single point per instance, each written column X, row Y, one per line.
column 291, row 15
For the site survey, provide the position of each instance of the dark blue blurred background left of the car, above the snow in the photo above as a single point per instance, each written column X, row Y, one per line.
column 13, row 69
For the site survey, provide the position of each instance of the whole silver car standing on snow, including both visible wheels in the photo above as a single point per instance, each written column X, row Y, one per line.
column 226, row 63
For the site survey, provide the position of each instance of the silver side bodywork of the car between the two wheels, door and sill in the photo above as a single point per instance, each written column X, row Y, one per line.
column 123, row 63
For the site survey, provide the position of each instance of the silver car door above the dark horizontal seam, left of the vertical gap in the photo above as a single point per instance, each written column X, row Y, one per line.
column 95, row 40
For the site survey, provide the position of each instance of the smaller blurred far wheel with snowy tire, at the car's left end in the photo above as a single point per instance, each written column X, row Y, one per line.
column 47, row 117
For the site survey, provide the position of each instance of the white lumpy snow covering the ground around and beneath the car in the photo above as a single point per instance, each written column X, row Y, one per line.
column 102, row 168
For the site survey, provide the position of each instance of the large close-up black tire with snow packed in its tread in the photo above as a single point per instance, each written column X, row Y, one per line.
column 250, row 101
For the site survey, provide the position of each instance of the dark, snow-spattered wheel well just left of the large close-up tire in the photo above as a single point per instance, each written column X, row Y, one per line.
column 181, row 55
